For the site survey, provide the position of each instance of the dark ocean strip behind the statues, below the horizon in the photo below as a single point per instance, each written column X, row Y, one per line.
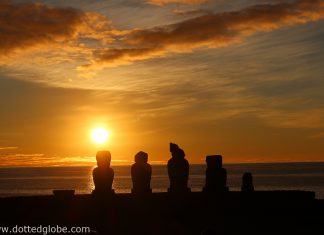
column 22, row 181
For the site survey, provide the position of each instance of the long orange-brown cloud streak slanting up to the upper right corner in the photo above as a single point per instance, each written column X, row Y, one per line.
column 210, row 31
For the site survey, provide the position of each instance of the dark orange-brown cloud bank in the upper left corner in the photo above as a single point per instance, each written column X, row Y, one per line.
column 30, row 25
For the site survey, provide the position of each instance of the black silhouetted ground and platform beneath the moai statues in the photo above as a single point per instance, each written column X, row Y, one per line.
column 272, row 212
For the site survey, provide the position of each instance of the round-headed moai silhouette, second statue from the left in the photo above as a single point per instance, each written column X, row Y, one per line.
column 141, row 173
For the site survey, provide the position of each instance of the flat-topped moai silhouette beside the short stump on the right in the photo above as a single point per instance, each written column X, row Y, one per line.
column 216, row 175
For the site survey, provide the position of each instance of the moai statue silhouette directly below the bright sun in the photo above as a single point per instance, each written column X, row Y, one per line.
column 103, row 174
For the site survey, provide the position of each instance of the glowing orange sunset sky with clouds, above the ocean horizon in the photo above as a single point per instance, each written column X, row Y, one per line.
column 241, row 78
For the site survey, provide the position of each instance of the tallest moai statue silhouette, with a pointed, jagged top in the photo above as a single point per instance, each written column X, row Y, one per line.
column 178, row 170
